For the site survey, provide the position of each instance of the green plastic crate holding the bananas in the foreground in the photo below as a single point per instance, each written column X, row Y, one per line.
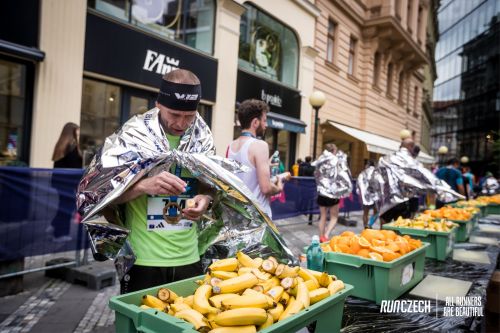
column 129, row 318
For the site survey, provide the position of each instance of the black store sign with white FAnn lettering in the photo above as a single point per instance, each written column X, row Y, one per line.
column 121, row 52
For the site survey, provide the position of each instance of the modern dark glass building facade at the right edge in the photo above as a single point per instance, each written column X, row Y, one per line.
column 467, row 90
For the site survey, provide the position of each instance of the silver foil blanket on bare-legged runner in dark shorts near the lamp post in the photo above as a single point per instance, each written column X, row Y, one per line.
column 333, row 177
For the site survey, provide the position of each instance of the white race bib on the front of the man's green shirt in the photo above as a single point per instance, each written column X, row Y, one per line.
column 165, row 212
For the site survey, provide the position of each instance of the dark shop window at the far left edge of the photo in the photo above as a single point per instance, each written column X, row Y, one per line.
column 13, row 101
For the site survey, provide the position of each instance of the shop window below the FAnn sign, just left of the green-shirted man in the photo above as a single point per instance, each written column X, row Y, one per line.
column 100, row 116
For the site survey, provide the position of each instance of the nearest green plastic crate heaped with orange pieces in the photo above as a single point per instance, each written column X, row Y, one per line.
column 377, row 280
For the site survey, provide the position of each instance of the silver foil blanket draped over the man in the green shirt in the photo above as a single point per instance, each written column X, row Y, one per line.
column 139, row 149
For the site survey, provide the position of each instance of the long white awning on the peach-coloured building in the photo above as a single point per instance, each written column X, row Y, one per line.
column 378, row 144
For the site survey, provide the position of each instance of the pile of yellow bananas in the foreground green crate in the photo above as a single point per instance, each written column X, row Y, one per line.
column 246, row 295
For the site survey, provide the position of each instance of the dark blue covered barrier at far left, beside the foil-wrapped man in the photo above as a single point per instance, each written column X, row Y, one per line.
column 38, row 220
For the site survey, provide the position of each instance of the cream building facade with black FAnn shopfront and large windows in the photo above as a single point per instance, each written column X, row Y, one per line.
column 99, row 62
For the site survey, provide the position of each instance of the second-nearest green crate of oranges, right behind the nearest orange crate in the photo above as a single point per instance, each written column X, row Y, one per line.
column 440, row 242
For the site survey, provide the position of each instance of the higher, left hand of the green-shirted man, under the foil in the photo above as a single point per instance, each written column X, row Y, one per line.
column 164, row 183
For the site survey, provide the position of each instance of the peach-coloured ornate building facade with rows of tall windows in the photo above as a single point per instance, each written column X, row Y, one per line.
column 372, row 56
